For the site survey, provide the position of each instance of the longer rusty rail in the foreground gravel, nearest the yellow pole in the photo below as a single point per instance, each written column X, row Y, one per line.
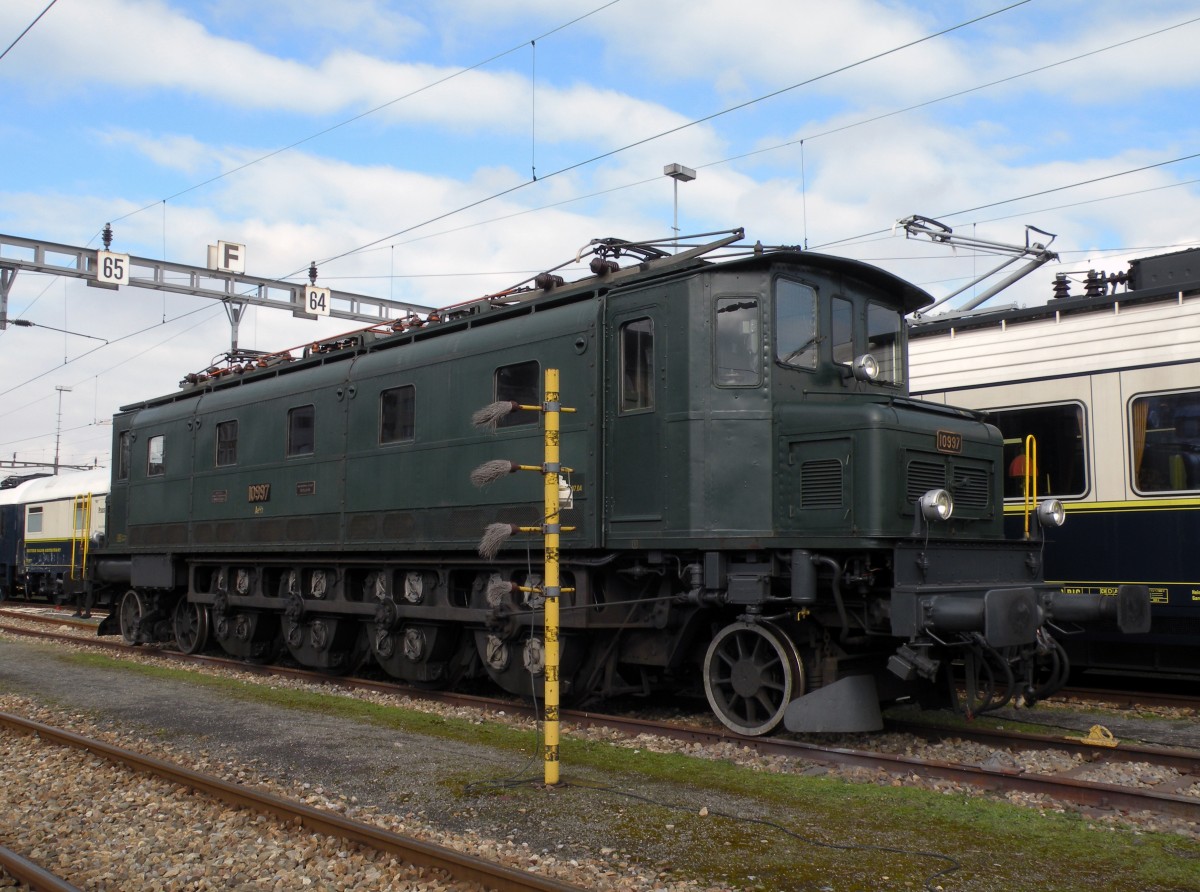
column 415, row 852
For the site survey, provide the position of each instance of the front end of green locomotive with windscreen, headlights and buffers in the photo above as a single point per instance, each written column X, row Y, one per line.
column 904, row 579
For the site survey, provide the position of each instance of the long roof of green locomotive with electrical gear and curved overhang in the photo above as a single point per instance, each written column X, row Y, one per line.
column 656, row 266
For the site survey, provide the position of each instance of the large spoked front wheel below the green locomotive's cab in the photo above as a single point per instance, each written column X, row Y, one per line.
column 752, row 673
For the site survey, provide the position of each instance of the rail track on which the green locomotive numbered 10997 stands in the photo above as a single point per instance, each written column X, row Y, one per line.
column 1179, row 795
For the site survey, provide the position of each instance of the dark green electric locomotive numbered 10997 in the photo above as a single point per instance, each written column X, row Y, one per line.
column 757, row 510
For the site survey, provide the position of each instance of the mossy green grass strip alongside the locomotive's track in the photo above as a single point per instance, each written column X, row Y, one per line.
column 761, row 831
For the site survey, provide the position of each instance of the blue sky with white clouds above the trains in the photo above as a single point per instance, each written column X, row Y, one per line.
column 434, row 153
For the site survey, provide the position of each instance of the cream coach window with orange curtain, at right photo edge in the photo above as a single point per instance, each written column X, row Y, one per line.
column 1166, row 442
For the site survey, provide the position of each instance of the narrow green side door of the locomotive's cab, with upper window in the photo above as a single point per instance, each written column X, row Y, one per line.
column 635, row 468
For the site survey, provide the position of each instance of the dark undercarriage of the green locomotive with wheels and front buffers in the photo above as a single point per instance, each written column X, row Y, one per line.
column 771, row 638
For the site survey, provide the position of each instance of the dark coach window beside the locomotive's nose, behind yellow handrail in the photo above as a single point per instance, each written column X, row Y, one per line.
column 1060, row 464
